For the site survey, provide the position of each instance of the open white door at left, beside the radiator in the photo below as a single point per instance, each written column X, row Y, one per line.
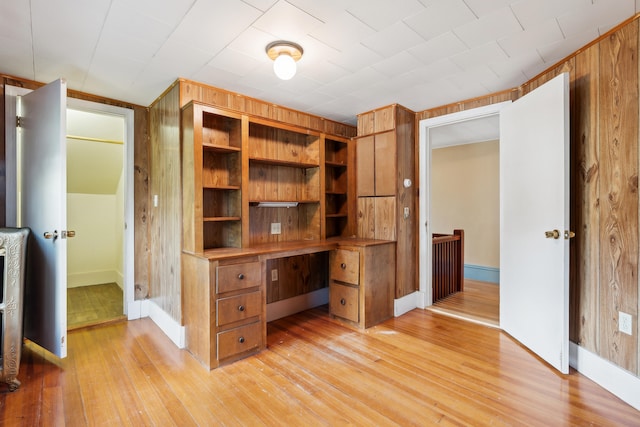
column 42, row 189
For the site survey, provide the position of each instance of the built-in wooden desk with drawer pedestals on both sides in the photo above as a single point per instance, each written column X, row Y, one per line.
column 224, row 292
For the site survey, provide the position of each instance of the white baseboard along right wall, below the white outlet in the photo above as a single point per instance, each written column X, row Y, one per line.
column 607, row 375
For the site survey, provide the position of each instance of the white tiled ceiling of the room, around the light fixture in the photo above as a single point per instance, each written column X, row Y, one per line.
column 359, row 54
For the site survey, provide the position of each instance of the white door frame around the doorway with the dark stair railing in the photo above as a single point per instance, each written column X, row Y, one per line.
column 424, row 296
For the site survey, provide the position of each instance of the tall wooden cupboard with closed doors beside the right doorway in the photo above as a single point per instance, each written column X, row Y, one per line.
column 387, row 187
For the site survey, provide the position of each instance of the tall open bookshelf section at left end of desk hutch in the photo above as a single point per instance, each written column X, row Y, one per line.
column 212, row 178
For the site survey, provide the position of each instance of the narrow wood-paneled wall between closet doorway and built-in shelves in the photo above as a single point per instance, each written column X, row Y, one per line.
column 166, row 218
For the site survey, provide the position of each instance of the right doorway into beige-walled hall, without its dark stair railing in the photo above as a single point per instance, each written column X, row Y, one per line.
column 459, row 164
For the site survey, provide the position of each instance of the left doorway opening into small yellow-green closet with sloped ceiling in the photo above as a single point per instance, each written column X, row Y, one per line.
column 95, row 210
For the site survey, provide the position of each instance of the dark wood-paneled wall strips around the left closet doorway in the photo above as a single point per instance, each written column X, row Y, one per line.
column 141, row 167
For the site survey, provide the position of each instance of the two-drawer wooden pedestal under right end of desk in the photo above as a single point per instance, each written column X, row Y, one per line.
column 362, row 278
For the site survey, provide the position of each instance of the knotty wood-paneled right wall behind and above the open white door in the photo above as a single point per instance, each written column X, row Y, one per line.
column 604, row 188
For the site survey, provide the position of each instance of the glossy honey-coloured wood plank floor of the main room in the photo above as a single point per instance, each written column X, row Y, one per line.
column 418, row 369
